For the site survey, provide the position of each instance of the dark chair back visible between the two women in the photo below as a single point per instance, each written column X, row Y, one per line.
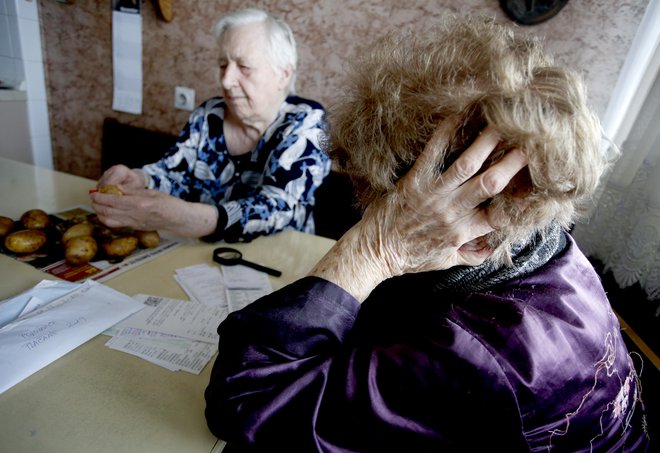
column 334, row 211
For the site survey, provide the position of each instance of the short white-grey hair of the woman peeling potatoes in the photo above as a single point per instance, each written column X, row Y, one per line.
column 282, row 49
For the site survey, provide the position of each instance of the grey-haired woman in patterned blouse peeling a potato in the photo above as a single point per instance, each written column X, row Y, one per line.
column 247, row 163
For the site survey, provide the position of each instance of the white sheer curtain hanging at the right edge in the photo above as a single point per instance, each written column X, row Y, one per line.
column 623, row 228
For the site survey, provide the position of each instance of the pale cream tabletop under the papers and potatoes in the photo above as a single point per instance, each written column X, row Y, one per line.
column 95, row 399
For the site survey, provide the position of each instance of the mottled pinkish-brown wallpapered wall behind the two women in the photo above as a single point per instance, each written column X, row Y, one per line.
column 592, row 36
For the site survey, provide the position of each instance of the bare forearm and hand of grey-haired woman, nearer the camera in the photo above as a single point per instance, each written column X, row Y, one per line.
column 144, row 209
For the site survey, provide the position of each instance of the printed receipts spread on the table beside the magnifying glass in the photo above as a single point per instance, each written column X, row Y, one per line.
column 182, row 335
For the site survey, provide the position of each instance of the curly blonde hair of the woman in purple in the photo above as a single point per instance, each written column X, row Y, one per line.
column 405, row 83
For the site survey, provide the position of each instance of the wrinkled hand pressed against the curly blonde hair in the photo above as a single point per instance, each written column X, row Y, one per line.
column 430, row 222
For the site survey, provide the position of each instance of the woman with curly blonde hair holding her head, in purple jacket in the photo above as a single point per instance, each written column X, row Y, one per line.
column 458, row 314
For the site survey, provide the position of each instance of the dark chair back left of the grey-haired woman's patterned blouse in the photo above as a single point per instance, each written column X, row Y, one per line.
column 132, row 146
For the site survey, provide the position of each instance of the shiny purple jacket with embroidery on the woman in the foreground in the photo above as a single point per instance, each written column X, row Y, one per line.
column 534, row 364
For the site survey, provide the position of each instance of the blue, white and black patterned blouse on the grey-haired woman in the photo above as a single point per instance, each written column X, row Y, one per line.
column 264, row 191
